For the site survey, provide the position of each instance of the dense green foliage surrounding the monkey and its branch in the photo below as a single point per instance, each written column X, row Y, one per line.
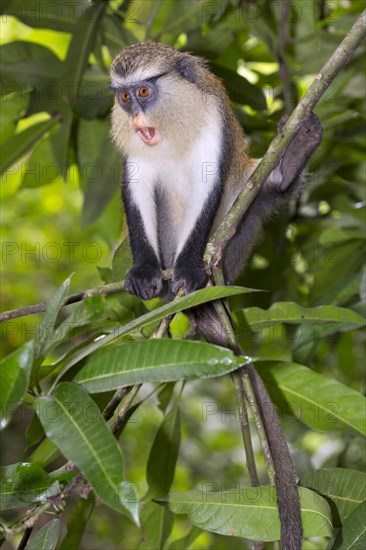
column 61, row 215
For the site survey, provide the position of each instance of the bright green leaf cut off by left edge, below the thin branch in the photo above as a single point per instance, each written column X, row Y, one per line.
column 14, row 380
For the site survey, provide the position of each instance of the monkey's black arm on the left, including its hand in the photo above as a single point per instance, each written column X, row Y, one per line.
column 144, row 279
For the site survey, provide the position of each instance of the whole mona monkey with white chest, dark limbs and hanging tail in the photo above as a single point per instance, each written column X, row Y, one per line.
column 184, row 163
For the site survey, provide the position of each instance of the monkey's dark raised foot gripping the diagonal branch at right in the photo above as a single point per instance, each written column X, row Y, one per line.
column 300, row 149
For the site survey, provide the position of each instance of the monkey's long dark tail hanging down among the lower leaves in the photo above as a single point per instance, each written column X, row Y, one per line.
column 288, row 500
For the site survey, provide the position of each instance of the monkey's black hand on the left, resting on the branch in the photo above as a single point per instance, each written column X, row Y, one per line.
column 144, row 281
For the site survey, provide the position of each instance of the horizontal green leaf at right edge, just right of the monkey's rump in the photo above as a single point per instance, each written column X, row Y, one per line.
column 290, row 312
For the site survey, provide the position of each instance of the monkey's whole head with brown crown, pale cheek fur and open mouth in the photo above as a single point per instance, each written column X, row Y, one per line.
column 158, row 102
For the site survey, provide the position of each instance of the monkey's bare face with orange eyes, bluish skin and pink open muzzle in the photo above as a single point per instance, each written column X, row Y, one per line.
column 137, row 100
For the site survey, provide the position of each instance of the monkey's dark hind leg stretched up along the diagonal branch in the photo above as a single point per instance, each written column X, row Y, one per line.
column 282, row 186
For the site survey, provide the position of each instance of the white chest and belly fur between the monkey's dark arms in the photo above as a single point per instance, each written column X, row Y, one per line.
column 171, row 191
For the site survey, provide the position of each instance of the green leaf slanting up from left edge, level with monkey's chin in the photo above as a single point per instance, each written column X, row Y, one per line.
column 20, row 144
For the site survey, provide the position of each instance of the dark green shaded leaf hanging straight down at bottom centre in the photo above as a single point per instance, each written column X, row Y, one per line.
column 163, row 456
